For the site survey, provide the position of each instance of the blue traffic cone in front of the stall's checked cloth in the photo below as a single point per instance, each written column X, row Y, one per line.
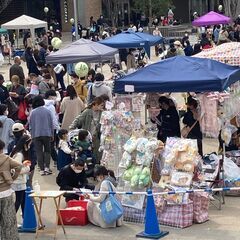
column 152, row 229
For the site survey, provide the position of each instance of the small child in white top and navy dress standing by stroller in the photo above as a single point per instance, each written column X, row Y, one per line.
column 64, row 152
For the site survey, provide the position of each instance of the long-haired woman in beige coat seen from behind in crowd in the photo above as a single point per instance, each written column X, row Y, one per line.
column 71, row 107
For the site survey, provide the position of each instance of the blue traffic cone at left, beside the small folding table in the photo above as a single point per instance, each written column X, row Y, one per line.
column 29, row 220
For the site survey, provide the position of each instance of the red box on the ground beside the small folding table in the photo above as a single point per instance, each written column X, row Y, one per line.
column 73, row 216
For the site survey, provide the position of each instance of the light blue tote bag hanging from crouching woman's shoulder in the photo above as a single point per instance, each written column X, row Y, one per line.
column 111, row 208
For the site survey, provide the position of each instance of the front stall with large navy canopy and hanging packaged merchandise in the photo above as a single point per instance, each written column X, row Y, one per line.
column 141, row 160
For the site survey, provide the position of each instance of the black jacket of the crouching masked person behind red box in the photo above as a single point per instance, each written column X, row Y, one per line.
column 67, row 179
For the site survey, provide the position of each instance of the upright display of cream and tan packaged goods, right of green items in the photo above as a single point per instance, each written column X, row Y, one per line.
column 180, row 157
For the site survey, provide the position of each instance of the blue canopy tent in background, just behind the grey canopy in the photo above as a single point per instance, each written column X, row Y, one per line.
column 131, row 39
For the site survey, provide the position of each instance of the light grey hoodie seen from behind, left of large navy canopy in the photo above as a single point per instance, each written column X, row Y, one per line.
column 98, row 89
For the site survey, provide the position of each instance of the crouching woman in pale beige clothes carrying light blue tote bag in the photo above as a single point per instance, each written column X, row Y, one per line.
column 94, row 212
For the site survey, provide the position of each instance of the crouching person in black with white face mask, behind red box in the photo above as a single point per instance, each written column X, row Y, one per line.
column 71, row 178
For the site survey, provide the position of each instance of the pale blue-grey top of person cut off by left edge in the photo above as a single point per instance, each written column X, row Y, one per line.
column 6, row 134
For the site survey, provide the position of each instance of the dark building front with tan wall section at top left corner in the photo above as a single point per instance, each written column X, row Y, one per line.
column 59, row 10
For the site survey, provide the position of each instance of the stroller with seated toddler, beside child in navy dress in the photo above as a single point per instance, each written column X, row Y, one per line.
column 86, row 155
